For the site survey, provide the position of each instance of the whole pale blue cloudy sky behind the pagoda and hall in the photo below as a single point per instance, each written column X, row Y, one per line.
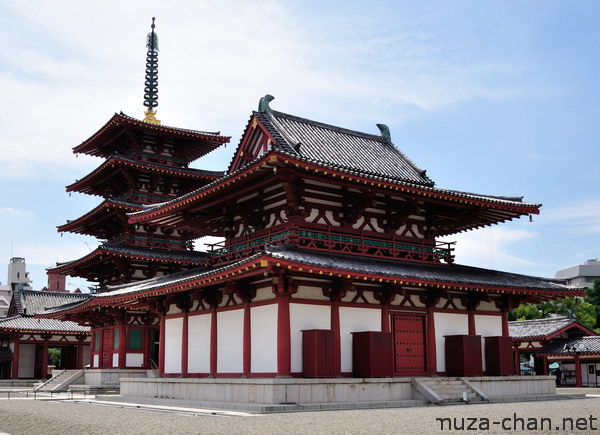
column 495, row 97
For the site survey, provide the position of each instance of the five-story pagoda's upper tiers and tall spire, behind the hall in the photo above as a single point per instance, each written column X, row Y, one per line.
column 145, row 163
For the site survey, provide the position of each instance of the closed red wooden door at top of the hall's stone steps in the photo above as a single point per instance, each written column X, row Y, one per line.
column 409, row 344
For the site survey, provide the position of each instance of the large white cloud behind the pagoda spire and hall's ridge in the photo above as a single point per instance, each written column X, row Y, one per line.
column 72, row 64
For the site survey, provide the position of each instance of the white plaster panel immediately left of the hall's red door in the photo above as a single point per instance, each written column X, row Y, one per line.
column 355, row 320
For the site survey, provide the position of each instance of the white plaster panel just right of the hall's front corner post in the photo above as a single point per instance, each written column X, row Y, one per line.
column 305, row 316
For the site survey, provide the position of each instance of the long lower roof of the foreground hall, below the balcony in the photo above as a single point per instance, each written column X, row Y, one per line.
column 455, row 277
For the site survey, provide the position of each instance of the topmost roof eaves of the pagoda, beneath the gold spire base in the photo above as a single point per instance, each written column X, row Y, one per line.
column 92, row 145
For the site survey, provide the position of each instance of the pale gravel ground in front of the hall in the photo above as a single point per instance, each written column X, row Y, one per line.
column 20, row 416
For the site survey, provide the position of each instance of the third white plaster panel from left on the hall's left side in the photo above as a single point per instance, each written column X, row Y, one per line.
column 230, row 341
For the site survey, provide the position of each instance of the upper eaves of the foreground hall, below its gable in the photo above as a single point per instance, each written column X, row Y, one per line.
column 494, row 209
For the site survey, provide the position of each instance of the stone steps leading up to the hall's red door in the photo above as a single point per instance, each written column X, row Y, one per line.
column 446, row 390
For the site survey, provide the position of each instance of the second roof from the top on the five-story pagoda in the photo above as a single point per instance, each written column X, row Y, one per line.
column 115, row 162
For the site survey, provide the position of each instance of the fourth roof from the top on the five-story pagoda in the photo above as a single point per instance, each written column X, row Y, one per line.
column 133, row 252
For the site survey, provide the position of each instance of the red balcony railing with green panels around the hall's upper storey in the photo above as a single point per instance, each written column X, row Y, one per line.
column 368, row 245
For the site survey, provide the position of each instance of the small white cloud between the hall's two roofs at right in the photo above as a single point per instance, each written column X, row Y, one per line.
column 492, row 248
